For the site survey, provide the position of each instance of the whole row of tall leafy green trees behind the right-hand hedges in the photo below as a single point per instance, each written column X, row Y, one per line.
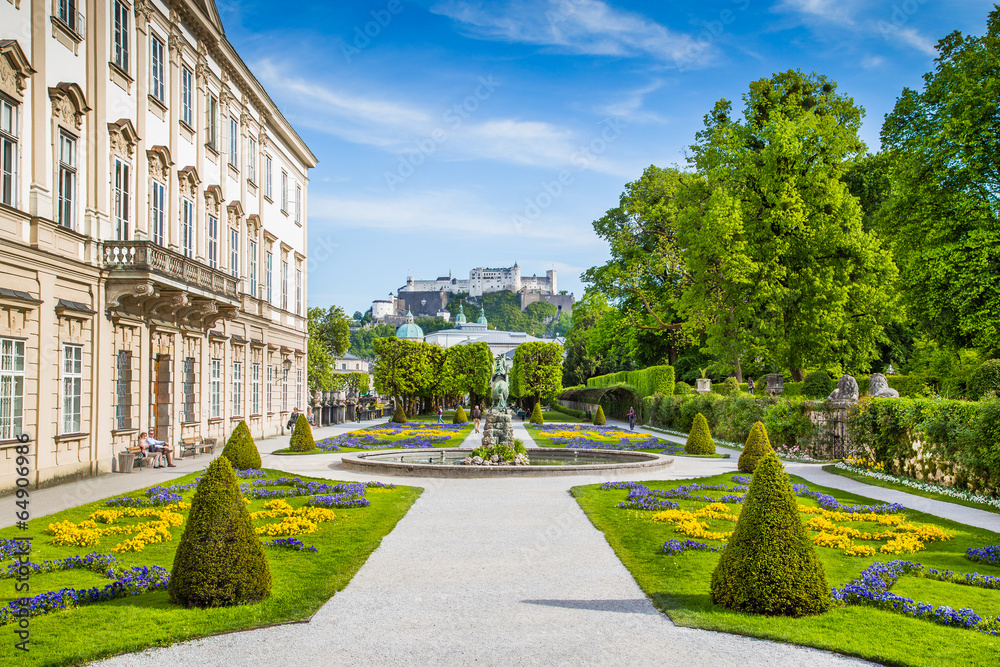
column 785, row 245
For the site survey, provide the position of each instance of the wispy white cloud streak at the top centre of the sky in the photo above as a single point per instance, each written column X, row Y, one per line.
column 576, row 26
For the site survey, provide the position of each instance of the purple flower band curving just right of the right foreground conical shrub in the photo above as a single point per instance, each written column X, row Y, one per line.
column 872, row 589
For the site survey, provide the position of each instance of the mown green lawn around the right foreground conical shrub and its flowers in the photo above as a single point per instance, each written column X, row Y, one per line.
column 679, row 586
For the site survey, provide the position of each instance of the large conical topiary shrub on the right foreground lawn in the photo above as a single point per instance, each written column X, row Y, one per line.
column 769, row 565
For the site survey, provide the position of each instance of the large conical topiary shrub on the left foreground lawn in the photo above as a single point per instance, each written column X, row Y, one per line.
column 219, row 561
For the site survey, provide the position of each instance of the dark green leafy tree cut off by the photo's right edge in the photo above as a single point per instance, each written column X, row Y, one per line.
column 942, row 213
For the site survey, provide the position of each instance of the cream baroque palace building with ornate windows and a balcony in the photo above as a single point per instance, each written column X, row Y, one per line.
column 152, row 235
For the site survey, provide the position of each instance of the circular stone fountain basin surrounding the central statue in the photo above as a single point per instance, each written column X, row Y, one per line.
column 544, row 463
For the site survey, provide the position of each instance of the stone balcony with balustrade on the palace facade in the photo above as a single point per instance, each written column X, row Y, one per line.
column 151, row 282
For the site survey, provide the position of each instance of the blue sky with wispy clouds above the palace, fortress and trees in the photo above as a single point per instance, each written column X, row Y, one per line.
column 453, row 134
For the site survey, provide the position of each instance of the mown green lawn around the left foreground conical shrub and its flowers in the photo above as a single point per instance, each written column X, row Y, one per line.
column 302, row 582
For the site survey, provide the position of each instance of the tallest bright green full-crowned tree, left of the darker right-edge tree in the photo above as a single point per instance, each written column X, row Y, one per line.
column 778, row 261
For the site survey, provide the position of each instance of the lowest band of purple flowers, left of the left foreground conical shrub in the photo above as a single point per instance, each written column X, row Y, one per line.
column 134, row 581
